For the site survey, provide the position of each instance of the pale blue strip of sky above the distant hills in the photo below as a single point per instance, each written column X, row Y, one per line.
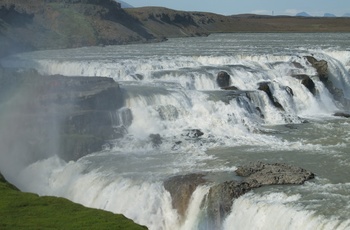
column 268, row 7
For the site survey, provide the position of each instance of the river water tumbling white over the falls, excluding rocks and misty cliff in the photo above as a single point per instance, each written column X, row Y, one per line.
column 171, row 90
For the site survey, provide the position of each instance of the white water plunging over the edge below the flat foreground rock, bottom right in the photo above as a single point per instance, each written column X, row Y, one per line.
column 276, row 211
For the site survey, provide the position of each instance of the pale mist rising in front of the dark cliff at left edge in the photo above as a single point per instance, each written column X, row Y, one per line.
column 29, row 127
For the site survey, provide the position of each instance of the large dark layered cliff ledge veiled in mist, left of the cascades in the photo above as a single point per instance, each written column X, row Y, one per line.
column 67, row 116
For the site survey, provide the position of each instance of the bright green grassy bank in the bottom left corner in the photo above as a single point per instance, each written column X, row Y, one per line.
column 20, row 210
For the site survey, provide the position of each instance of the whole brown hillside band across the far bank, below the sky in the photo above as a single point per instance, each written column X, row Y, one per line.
column 55, row 24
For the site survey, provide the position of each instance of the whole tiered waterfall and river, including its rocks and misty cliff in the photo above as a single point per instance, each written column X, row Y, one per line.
column 235, row 131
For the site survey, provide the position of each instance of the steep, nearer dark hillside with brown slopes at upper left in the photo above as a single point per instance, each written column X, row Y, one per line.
column 55, row 24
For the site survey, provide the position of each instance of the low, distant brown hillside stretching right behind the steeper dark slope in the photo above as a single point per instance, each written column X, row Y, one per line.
column 170, row 23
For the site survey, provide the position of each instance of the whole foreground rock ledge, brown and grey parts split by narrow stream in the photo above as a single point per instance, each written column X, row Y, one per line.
column 220, row 197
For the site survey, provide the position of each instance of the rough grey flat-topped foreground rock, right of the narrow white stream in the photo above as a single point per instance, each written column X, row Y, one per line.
column 221, row 196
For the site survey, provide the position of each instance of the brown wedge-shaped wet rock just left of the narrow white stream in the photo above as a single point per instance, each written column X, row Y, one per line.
column 181, row 189
